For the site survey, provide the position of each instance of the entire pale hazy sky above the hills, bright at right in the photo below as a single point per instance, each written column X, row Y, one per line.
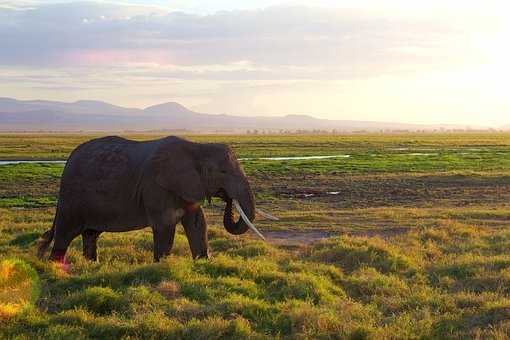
column 409, row 61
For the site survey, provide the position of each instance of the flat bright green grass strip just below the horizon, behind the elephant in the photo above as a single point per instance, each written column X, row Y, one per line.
column 369, row 153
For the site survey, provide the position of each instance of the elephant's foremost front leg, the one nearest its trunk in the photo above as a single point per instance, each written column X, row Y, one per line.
column 195, row 227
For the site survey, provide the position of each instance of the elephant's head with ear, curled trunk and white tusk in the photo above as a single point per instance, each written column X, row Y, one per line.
column 195, row 171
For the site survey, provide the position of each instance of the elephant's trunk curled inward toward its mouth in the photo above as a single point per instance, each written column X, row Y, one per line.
column 247, row 203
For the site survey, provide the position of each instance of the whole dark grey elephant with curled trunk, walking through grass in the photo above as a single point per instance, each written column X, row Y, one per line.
column 113, row 184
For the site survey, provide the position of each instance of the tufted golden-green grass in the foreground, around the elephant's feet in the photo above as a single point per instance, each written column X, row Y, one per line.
column 450, row 280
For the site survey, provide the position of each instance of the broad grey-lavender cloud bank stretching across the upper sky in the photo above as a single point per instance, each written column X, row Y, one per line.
column 278, row 42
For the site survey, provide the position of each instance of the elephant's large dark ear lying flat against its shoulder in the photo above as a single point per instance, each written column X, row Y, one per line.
column 174, row 169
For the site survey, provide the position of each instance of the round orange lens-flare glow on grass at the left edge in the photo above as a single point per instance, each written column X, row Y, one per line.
column 19, row 287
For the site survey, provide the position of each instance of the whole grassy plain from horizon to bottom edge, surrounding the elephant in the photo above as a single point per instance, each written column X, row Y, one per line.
column 396, row 237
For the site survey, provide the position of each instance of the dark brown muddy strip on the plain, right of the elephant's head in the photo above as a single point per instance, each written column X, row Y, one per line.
column 391, row 190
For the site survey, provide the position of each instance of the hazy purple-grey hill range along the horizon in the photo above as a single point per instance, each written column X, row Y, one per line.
column 87, row 115
